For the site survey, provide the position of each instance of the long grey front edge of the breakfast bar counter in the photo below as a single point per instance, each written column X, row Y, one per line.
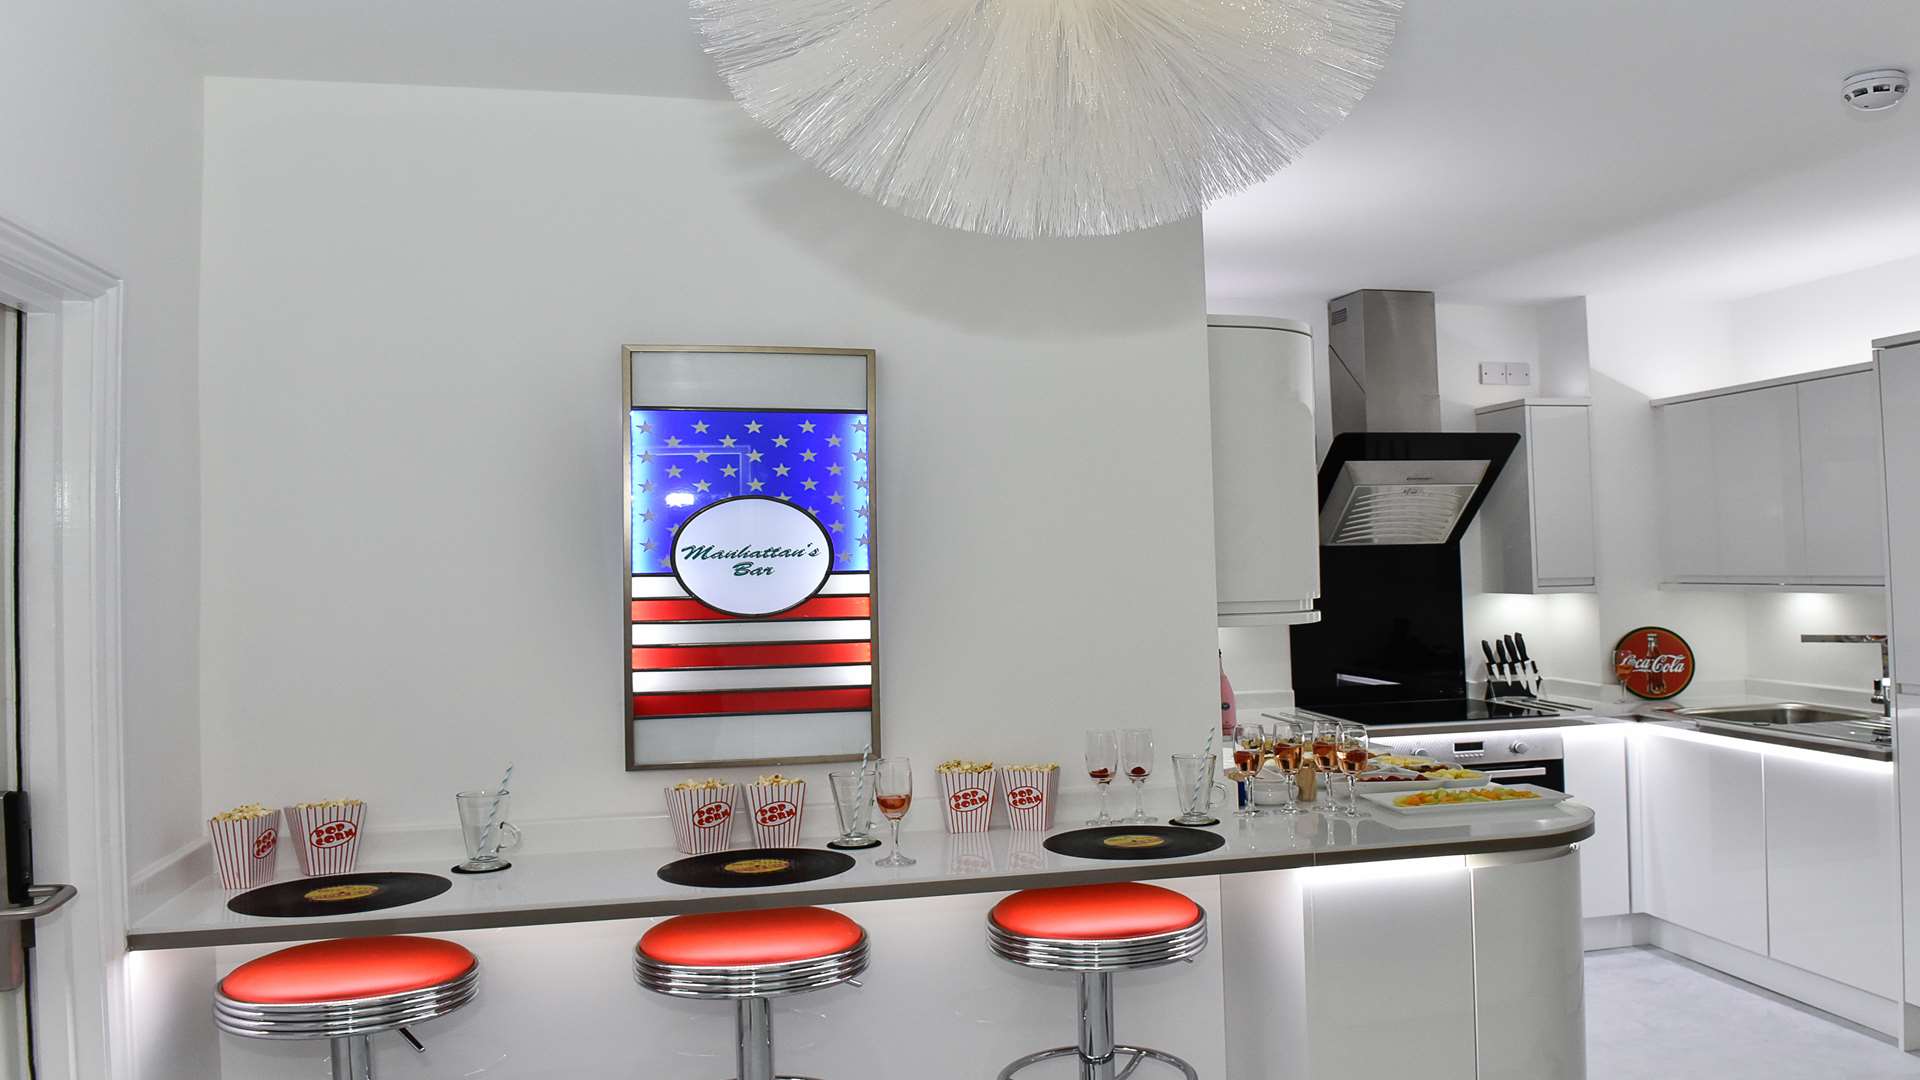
column 827, row 893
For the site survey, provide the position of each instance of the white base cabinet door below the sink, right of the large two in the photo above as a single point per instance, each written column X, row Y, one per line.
column 1833, row 871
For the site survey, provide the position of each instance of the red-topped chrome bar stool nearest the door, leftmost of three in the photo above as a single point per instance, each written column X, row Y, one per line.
column 345, row 993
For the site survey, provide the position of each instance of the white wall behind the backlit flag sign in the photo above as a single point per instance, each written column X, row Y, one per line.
column 414, row 314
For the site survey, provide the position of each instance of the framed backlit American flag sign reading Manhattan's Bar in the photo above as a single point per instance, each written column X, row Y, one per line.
column 750, row 543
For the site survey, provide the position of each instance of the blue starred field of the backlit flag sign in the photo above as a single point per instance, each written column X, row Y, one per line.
column 690, row 458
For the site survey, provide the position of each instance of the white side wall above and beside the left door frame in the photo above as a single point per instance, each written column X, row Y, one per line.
column 103, row 159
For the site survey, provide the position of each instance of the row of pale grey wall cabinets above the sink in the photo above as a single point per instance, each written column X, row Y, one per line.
column 1775, row 483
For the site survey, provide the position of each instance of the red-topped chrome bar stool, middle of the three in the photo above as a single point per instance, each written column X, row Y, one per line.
column 752, row 956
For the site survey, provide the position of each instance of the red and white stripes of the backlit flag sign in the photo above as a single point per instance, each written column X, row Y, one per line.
column 688, row 660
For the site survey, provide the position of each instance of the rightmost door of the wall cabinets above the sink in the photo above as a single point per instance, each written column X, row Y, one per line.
column 1840, row 478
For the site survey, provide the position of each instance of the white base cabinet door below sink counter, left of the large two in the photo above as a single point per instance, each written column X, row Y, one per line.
column 1702, row 837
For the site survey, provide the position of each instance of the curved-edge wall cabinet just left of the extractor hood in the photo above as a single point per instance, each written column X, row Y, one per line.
column 1266, row 491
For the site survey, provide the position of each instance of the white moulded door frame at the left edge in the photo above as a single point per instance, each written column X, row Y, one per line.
column 72, row 647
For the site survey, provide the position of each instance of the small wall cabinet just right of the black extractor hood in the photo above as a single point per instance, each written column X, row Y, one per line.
column 1537, row 528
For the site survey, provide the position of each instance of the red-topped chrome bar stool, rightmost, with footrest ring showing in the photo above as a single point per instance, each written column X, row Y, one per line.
column 1097, row 931
